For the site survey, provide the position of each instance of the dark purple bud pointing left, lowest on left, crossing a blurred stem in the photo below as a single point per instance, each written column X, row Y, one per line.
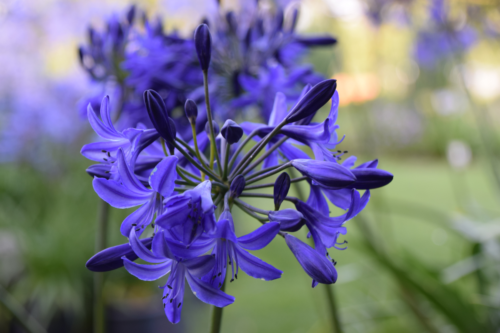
column 111, row 258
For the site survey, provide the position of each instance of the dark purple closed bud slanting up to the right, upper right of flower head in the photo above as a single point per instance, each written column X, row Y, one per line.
column 312, row 101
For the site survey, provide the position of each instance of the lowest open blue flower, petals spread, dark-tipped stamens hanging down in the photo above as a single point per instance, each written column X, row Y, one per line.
column 180, row 269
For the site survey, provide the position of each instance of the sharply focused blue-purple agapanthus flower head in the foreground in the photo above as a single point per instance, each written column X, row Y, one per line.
column 186, row 194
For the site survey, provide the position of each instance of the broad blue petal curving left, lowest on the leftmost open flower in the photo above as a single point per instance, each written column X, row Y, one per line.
column 118, row 195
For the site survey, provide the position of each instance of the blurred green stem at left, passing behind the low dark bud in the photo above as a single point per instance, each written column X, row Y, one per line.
column 100, row 244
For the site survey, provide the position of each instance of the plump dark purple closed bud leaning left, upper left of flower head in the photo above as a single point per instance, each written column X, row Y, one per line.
column 157, row 112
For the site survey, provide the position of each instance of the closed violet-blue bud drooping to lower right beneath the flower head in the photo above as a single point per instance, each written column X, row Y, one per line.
column 315, row 264
